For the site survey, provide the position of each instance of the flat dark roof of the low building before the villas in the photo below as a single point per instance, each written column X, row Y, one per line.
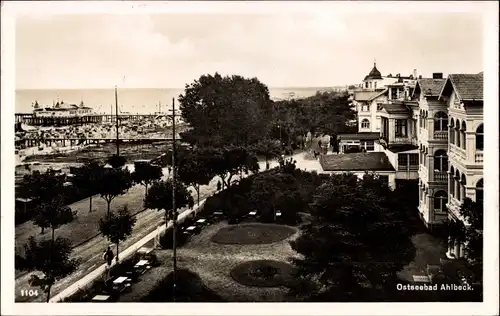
column 371, row 161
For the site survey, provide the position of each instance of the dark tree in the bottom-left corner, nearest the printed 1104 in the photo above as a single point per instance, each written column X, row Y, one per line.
column 51, row 257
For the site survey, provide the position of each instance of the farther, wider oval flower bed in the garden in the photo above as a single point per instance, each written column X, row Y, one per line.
column 252, row 234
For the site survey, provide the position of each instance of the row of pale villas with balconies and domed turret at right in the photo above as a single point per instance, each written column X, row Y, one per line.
column 430, row 129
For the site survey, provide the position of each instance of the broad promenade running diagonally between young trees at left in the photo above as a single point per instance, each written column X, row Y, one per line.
column 92, row 244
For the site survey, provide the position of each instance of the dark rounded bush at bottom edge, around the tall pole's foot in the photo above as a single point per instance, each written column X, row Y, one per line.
column 189, row 288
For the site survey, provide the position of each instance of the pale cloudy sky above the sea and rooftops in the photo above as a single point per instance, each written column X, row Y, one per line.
column 312, row 49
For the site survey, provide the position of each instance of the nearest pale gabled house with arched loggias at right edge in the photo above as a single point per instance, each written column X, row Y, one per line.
column 463, row 95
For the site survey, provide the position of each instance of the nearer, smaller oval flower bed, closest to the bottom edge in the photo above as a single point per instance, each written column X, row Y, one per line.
column 263, row 273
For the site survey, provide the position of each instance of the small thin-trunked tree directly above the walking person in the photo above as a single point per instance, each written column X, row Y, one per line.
column 117, row 227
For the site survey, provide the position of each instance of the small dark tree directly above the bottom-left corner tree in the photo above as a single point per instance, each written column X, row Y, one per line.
column 53, row 214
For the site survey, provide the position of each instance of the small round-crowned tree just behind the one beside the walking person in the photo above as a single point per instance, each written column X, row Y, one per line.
column 113, row 182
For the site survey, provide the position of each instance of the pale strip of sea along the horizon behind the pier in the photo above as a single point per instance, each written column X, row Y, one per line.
column 133, row 101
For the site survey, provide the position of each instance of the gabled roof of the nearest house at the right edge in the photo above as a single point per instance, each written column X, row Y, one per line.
column 468, row 87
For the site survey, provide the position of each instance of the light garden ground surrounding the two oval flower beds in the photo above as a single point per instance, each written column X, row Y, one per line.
column 213, row 263
